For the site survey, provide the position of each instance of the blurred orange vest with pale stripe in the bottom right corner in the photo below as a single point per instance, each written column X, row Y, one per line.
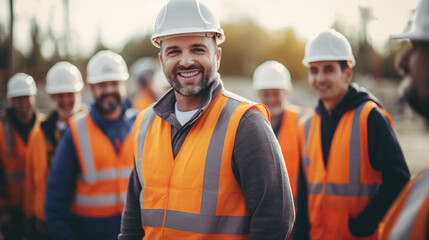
column 409, row 215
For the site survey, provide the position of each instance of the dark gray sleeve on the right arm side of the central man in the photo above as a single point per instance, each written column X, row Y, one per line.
column 259, row 167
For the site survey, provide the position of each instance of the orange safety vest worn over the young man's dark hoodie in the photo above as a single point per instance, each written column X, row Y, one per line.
column 347, row 184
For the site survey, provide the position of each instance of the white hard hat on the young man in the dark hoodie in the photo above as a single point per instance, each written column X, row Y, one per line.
column 329, row 46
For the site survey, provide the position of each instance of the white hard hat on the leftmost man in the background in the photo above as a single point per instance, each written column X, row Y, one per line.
column 20, row 85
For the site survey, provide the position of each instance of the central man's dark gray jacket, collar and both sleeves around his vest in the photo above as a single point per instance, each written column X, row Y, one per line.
column 257, row 164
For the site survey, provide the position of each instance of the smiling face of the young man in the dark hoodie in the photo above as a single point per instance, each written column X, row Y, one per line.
column 329, row 82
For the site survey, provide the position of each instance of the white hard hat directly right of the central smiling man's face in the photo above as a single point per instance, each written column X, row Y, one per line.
column 271, row 75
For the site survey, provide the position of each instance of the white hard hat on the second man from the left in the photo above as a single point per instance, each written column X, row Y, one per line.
column 63, row 77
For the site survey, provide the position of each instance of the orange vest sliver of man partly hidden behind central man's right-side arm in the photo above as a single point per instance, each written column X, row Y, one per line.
column 288, row 139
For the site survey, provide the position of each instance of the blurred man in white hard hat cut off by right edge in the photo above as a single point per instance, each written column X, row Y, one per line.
column 408, row 218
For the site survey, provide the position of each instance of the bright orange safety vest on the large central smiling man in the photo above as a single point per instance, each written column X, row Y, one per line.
column 195, row 195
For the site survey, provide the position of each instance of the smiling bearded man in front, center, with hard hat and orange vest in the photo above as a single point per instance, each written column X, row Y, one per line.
column 207, row 163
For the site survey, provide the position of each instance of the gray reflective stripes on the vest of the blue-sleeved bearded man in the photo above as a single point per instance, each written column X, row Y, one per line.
column 91, row 176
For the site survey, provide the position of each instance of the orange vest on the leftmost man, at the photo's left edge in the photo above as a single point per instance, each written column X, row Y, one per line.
column 13, row 150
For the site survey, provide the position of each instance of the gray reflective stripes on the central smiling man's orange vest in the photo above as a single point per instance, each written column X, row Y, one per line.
column 206, row 222
